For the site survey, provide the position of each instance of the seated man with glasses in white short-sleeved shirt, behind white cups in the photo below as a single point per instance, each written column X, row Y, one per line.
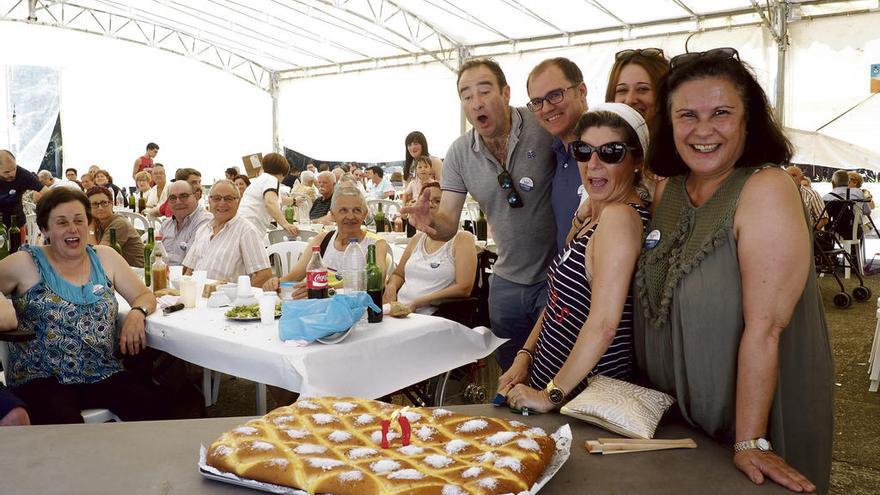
column 228, row 246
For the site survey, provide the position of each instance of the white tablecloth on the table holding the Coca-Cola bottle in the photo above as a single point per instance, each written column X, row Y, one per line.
column 375, row 359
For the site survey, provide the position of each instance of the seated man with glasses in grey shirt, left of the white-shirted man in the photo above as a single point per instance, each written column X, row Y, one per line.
column 179, row 231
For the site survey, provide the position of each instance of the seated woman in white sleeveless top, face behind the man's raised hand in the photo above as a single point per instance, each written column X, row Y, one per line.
column 430, row 269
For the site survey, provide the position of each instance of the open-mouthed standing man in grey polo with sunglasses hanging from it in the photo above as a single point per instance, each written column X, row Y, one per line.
column 506, row 163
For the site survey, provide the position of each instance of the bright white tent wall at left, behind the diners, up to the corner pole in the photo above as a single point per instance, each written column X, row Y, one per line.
column 116, row 97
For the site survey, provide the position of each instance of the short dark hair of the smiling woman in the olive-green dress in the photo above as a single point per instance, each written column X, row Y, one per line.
column 765, row 141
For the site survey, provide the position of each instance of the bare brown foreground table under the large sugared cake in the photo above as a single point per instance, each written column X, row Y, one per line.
column 161, row 458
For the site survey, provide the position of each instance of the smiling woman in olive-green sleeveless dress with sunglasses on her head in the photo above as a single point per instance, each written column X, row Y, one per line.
column 729, row 317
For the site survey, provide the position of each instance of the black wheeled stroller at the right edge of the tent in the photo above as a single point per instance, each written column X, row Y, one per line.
column 830, row 252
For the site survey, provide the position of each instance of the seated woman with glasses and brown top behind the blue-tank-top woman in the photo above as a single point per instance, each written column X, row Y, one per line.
column 105, row 223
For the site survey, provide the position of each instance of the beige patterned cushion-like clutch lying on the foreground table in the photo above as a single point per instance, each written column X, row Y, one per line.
column 621, row 407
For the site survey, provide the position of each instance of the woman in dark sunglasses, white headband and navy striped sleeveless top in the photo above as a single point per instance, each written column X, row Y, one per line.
column 586, row 327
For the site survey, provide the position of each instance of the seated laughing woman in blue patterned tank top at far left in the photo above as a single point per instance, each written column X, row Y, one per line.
column 65, row 293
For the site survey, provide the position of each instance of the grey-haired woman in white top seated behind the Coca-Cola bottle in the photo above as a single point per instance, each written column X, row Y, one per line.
column 348, row 209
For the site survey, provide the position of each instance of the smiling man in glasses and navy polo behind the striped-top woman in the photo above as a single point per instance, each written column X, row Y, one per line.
column 558, row 97
